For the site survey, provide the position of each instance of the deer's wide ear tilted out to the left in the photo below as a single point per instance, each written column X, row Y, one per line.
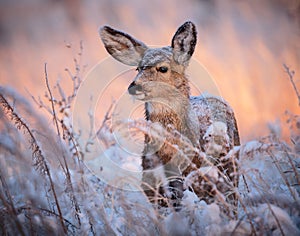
column 122, row 46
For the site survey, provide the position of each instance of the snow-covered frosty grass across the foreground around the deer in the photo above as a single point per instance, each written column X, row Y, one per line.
column 92, row 205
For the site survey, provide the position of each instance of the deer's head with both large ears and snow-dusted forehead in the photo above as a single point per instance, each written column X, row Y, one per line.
column 160, row 70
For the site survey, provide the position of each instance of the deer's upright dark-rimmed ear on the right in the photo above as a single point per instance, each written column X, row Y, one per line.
column 184, row 42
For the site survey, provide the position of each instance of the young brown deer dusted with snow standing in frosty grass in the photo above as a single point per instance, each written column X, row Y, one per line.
column 207, row 122
